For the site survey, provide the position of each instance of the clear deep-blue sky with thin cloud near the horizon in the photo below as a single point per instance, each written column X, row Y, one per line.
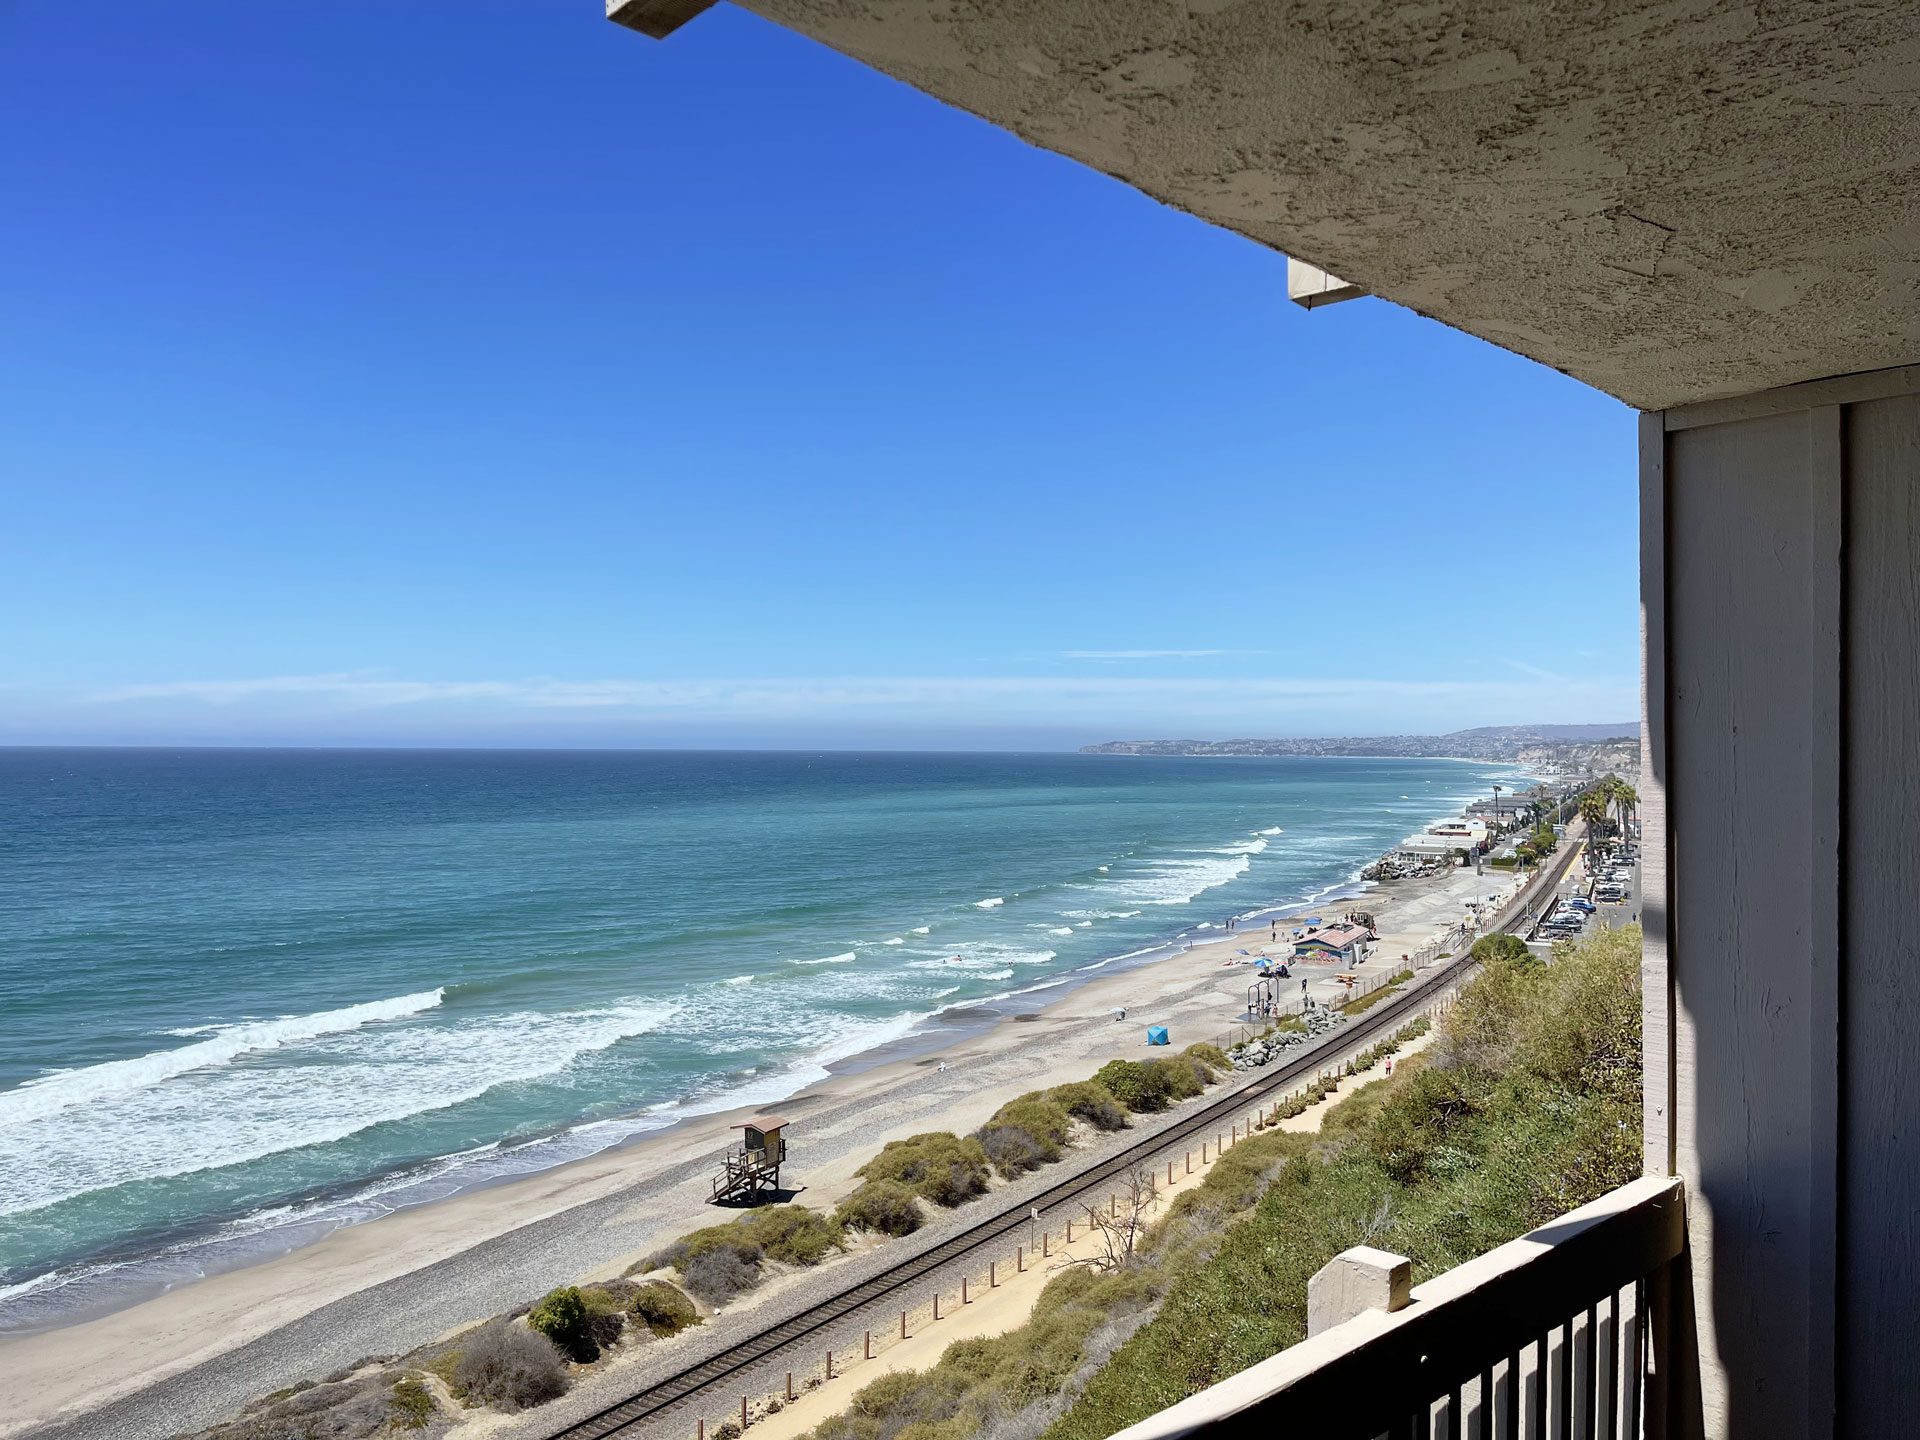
column 485, row 373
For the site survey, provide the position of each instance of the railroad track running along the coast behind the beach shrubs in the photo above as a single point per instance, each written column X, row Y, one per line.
column 627, row 1416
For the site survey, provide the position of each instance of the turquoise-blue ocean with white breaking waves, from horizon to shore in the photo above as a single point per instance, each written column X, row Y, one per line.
column 251, row 996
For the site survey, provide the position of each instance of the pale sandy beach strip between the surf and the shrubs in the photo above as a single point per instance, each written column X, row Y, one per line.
column 195, row 1355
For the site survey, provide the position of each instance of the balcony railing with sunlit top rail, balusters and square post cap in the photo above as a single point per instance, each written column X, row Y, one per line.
column 1562, row 1333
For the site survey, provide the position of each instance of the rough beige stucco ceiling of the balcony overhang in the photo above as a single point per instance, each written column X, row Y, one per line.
column 1671, row 201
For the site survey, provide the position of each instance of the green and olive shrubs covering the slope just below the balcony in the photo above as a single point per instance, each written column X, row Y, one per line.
column 1525, row 1107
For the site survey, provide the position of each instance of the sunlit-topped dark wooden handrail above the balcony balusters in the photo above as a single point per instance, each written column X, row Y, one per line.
column 1368, row 1376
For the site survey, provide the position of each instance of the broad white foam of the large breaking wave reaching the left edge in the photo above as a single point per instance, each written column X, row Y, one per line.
column 316, row 1092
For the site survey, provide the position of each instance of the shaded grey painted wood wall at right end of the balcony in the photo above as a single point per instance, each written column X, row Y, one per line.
column 1783, row 809
